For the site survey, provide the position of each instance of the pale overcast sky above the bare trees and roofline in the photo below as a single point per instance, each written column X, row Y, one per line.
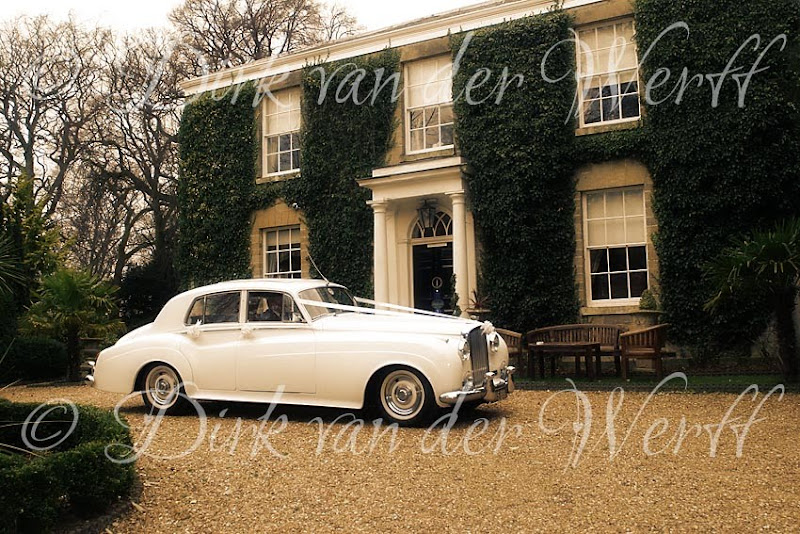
column 133, row 14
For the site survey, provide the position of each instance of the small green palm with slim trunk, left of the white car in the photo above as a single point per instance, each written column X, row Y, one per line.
column 71, row 304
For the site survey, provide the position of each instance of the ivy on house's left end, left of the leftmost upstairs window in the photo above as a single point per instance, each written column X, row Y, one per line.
column 217, row 189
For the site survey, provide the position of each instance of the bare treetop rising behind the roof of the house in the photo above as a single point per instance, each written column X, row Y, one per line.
column 225, row 33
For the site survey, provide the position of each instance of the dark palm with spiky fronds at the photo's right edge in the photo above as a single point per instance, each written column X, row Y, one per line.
column 764, row 265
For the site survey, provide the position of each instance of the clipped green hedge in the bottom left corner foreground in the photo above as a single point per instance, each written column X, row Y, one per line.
column 75, row 477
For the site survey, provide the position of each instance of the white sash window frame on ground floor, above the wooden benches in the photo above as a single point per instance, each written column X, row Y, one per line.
column 610, row 302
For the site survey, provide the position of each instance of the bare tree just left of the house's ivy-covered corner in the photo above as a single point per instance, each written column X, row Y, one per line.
column 134, row 143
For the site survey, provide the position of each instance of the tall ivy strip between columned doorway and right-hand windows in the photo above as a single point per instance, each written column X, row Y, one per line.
column 521, row 186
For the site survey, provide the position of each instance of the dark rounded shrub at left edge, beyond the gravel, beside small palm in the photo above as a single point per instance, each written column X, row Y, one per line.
column 34, row 358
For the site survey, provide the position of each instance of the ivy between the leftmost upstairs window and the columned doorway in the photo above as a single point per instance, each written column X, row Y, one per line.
column 340, row 143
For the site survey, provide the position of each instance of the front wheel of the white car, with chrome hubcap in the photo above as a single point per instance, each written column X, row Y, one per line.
column 404, row 397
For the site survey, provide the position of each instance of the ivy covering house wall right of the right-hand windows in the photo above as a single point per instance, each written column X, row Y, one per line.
column 718, row 172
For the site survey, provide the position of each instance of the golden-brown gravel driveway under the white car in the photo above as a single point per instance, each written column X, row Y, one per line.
column 323, row 476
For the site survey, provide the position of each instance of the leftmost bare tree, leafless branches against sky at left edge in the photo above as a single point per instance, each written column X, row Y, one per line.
column 48, row 94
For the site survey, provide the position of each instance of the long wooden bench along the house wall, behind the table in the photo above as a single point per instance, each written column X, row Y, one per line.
column 579, row 335
